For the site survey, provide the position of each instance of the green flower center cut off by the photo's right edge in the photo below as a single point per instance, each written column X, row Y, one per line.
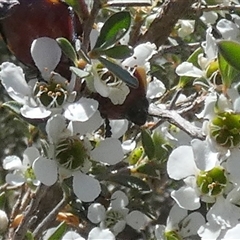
column 225, row 129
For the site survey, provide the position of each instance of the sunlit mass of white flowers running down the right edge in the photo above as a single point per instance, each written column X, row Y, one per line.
column 210, row 168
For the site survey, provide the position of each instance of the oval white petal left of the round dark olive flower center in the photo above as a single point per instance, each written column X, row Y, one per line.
column 45, row 170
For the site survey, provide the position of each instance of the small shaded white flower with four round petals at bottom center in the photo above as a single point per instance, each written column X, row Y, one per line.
column 117, row 215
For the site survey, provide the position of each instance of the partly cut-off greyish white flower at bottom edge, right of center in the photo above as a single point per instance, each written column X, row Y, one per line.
column 180, row 223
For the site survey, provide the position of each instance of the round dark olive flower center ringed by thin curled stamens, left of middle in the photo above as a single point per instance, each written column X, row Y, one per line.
column 71, row 153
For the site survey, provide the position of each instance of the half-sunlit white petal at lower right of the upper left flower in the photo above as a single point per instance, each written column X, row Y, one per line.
column 82, row 110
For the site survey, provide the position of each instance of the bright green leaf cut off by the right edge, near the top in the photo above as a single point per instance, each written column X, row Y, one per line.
column 231, row 52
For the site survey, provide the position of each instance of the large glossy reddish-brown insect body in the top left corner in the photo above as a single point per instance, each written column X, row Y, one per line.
column 31, row 19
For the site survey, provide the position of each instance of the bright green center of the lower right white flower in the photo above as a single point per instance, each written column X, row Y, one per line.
column 212, row 182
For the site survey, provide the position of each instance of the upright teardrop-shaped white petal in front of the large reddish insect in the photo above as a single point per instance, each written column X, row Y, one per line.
column 46, row 54
